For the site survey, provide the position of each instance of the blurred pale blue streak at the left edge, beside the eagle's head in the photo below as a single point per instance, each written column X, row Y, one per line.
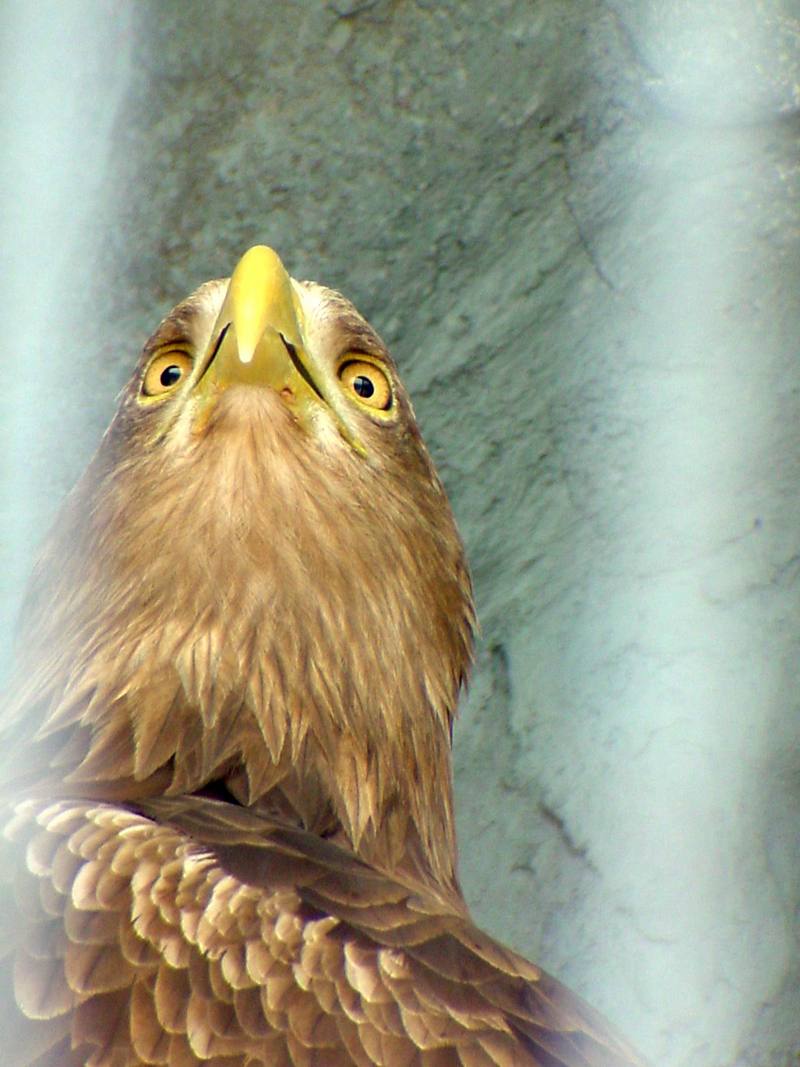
column 65, row 69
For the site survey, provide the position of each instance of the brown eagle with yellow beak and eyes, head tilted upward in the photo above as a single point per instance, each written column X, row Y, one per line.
column 228, row 815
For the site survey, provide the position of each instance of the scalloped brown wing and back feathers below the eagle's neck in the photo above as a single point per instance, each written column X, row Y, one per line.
column 195, row 932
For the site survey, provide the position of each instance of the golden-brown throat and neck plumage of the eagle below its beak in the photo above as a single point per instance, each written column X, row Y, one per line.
column 283, row 628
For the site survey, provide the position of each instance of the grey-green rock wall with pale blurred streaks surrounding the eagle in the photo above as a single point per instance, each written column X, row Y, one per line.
column 577, row 224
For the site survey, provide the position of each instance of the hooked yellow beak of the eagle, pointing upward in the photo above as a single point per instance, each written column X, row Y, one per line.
column 259, row 341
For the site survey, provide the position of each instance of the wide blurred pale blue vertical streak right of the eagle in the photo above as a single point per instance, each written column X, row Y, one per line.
column 686, row 635
